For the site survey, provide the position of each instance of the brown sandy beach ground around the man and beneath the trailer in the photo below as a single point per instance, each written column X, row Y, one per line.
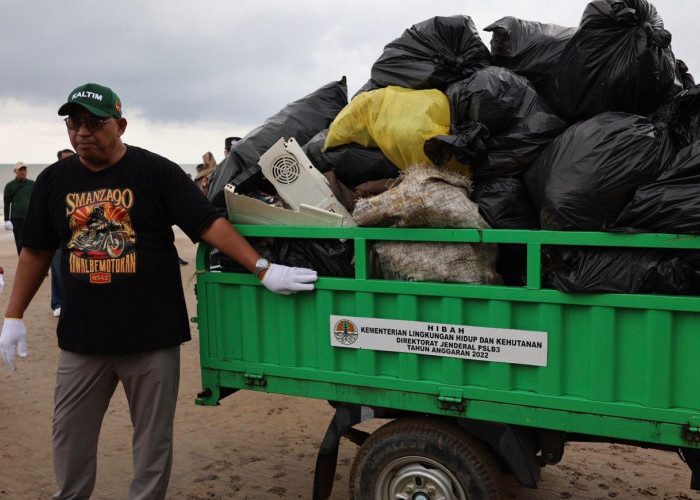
column 252, row 446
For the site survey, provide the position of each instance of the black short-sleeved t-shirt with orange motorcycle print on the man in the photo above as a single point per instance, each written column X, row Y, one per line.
column 122, row 288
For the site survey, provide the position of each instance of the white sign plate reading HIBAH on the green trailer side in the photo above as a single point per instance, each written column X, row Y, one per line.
column 502, row 345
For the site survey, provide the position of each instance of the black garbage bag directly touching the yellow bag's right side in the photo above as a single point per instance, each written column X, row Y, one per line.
column 520, row 123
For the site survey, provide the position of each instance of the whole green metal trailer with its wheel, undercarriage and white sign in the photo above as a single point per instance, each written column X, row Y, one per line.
column 477, row 380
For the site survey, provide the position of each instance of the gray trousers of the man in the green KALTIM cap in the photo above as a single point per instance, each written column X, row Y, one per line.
column 84, row 387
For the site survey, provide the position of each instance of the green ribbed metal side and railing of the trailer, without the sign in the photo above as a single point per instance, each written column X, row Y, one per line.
column 619, row 366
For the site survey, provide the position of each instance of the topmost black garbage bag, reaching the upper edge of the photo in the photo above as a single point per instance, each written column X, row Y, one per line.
column 620, row 59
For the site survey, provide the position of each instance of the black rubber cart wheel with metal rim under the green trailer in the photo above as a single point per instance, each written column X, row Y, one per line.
column 423, row 459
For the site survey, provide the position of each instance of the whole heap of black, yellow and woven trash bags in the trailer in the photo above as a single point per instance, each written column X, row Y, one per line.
column 594, row 127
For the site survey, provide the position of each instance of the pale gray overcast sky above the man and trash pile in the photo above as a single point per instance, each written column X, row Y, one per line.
column 191, row 73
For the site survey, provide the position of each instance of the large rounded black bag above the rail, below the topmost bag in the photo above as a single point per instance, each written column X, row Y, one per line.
column 587, row 175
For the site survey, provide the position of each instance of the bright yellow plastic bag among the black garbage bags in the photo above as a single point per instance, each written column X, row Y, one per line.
column 396, row 120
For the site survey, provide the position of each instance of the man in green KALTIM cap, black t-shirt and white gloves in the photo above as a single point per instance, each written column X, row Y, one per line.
column 110, row 208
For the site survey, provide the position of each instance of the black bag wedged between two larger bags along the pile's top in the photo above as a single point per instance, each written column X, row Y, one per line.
column 529, row 48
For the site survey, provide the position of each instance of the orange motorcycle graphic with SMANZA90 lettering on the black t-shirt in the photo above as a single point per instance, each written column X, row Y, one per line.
column 103, row 242
